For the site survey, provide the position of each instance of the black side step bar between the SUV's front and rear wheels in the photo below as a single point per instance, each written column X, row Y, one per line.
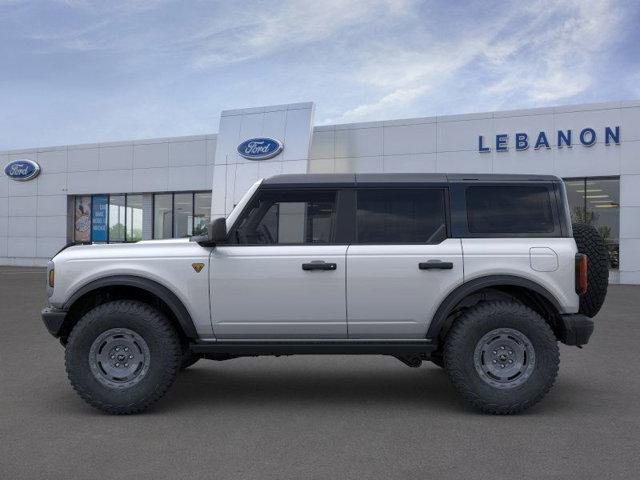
column 321, row 347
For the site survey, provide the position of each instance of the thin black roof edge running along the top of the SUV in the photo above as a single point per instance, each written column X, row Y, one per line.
column 371, row 179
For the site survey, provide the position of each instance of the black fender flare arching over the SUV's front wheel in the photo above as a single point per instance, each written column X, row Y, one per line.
column 163, row 293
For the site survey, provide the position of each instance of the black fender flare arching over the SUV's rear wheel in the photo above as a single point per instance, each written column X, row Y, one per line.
column 439, row 320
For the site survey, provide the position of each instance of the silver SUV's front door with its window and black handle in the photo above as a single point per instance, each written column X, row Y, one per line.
column 281, row 275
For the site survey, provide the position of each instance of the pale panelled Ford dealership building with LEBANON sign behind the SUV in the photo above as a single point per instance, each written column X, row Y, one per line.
column 171, row 187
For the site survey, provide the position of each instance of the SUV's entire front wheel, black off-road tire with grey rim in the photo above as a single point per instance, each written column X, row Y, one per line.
column 122, row 356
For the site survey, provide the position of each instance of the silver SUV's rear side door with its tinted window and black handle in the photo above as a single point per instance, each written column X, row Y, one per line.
column 401, row 264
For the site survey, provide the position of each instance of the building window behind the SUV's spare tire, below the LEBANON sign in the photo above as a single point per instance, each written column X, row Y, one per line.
column 596, row 202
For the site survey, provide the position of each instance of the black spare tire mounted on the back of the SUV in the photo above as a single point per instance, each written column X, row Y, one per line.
column 591, row 243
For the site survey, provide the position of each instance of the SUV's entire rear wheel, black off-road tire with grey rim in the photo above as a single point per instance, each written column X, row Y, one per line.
column 502, row 357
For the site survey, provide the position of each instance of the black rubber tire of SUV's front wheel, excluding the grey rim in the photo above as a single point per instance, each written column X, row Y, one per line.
column 164, row 356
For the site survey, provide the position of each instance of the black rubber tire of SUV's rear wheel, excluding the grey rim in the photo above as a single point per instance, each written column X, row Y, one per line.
column 471, row 327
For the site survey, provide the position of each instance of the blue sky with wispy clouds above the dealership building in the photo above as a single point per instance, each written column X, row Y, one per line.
column 80, row 71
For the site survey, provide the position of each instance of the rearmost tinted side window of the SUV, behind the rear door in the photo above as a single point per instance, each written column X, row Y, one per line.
column 509, row 209
